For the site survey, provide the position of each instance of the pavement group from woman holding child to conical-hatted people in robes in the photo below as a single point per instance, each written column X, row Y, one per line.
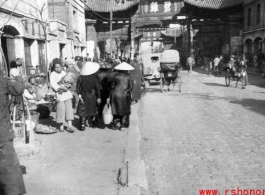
column 95, row 85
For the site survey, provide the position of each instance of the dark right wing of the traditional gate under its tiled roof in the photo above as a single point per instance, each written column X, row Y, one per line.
column 217, row 26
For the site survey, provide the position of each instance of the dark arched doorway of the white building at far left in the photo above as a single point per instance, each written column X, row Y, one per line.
column 7, row 46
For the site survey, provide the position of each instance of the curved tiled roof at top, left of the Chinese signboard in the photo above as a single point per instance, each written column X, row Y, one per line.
column 106, row 5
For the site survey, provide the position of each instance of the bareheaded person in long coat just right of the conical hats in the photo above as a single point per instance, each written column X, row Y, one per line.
column 137, row 78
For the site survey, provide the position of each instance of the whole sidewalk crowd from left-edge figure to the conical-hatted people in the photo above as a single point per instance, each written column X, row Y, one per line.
column 79, row 84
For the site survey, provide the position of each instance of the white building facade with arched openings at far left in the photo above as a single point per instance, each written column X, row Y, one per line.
column 22, row 35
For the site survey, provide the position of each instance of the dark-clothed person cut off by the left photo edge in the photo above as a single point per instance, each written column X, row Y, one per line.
column 11, row 179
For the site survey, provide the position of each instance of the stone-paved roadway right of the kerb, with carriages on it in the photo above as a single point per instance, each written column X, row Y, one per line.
column 207, row 137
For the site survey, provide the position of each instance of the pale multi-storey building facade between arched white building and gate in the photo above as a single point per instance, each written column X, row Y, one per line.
column 69, row 39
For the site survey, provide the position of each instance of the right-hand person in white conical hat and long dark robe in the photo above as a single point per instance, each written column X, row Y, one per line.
column 120, row 96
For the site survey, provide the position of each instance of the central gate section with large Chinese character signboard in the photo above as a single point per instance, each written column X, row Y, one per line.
column 152, row 20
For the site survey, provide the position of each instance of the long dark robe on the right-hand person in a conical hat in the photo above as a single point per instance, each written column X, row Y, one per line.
column 122, row 86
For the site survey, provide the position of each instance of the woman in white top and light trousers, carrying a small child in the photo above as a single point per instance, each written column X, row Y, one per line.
column 64, row 110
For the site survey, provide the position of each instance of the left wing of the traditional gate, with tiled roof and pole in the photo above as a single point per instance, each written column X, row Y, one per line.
column 98, row 11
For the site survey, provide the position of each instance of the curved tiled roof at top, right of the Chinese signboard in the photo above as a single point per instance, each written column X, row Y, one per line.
column 214, row 4
